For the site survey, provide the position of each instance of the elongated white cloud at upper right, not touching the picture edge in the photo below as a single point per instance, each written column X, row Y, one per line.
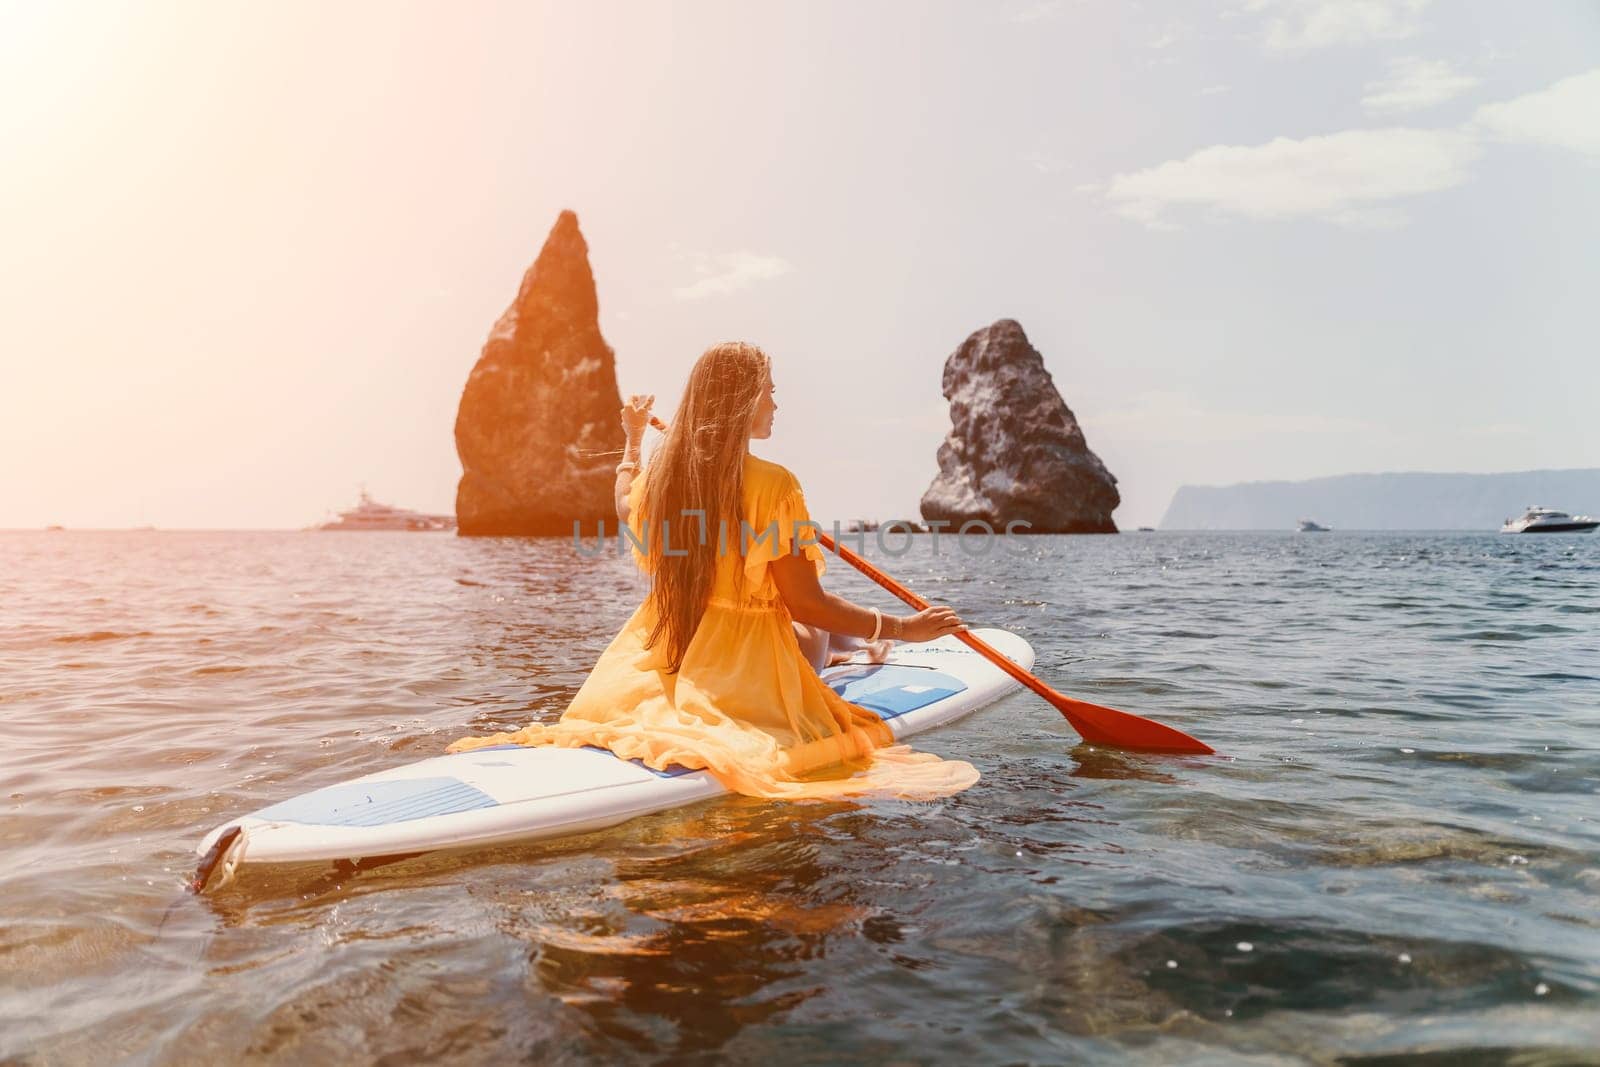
column 1345, row 178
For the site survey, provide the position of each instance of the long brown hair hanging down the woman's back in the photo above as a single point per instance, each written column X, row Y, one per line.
column 700, row 466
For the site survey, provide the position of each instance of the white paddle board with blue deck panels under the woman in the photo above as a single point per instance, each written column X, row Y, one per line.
column 521, row 794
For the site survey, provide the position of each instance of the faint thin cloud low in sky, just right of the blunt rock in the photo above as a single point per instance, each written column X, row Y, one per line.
column 1175, row 417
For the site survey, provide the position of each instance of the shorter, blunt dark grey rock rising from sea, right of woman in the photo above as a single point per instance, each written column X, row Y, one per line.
column 1015, row 449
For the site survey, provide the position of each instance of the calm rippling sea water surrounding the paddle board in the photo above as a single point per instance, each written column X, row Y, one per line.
column 1398, row 852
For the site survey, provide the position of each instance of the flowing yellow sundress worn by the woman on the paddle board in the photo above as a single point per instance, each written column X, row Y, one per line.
column 745, row 701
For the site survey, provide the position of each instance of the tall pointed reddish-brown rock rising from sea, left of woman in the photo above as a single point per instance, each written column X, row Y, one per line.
column 538, row 430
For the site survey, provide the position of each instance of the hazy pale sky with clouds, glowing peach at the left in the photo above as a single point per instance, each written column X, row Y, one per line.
column 249, row 254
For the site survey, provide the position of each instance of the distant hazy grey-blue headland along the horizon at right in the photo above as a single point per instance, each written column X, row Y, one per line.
column 1385, row 502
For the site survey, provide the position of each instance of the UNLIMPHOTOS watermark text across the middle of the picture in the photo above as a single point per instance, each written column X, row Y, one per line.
column 975, row 537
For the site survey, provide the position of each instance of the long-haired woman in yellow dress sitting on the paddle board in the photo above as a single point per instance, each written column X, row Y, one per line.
column 719, row 666
